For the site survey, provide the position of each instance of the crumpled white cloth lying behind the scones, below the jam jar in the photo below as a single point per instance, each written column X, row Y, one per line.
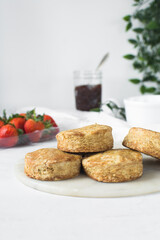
column 75, row 119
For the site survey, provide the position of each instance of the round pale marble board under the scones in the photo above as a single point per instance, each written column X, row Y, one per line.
column 83, row 186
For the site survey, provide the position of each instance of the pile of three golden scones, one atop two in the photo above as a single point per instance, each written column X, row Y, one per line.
column 90, row 147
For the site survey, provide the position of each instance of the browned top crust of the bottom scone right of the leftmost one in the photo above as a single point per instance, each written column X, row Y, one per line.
column 114, row 156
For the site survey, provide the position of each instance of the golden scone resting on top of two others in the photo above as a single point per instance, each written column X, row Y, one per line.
column 92, row 138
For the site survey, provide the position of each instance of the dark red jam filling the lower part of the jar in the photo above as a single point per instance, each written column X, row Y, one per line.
column 88, row 97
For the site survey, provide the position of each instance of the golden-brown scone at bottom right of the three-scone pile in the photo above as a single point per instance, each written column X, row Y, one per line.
column 117, row 165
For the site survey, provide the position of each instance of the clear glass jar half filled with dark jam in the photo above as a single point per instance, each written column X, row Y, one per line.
column 88, row 89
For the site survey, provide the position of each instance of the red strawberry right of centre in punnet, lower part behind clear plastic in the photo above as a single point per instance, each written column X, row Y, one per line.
column 33, row 129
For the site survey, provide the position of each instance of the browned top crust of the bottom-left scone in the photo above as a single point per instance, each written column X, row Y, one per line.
column 50, row 155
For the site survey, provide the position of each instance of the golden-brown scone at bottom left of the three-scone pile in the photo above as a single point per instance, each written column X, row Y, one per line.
column 52, row 164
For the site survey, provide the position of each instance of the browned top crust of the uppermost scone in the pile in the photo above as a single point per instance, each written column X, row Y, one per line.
column 84, row 131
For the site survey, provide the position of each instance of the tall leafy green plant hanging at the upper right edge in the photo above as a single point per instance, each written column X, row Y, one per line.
column 147, row 44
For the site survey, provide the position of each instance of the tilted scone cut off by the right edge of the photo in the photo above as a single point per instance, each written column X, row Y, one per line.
column 143, row 140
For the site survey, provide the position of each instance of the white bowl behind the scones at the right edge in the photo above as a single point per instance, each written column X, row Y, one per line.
column 143, row 110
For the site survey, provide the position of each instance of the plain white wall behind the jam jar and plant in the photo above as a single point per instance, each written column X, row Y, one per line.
column 44, row 41
